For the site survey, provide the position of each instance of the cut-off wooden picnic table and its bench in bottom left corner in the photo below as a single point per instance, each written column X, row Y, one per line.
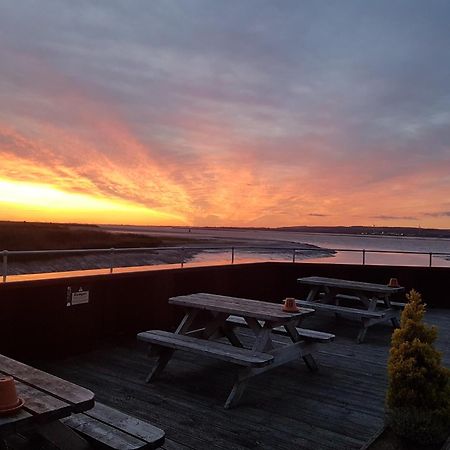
column 54, row 407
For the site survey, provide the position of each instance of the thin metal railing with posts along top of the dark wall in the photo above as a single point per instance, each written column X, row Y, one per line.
column 292, row 251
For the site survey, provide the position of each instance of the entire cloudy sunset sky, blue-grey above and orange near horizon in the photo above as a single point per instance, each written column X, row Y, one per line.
column 225, row 113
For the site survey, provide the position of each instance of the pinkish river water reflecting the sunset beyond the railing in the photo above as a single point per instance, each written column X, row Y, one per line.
column 375, row 246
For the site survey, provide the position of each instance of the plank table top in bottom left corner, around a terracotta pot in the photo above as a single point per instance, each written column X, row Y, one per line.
column 47, row 398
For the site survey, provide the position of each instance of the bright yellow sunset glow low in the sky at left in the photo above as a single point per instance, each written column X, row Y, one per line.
column 40, row 201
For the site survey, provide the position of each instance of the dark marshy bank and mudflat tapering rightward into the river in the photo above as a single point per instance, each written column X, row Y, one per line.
column 24, row 236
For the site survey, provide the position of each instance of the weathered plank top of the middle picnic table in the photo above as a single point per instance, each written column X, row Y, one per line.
column 238, row 306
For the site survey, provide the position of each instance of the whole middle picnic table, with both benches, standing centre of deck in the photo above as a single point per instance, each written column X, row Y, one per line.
column 213, row 317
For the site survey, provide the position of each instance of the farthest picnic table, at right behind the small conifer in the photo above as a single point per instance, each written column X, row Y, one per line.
column 372, row 301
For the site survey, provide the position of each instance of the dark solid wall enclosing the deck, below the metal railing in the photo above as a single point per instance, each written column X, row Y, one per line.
column 35, row 320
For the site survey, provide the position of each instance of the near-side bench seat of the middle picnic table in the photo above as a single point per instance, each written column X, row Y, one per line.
column 218, row 350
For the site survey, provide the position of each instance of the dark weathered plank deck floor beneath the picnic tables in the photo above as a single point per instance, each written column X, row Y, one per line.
column 339, row 407
